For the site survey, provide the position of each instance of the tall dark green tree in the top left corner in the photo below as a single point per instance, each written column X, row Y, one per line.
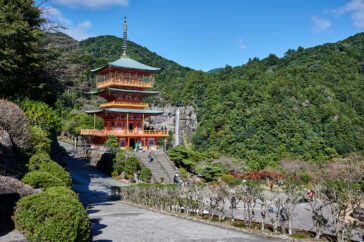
column 21, row 57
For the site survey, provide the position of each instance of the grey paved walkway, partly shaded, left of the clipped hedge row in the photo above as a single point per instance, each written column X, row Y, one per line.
column 117, row 221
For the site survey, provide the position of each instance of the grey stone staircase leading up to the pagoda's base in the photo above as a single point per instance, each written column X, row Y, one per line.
column 160, row 167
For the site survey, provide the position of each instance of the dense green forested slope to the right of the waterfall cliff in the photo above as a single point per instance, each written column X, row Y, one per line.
column 306, row 105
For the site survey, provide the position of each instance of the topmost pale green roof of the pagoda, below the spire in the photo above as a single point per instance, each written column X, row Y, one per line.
column 129, row 64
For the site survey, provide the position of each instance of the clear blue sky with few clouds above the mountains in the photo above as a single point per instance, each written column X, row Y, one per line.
column 205, row 34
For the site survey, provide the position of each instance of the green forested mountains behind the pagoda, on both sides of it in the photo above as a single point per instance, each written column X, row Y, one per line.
column 306, row 105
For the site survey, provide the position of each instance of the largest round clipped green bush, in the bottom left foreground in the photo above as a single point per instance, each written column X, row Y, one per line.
column 55, row 215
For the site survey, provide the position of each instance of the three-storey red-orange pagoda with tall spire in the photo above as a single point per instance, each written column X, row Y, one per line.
column 124, row 83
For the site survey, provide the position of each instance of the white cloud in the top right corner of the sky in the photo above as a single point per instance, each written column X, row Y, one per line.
column 356, row 8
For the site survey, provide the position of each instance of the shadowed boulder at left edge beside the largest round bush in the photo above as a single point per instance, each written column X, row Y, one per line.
column 11, row 190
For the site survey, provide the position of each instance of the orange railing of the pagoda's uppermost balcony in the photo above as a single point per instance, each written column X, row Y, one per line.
column 125, row 80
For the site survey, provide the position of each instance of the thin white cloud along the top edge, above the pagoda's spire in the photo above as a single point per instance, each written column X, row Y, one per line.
column 93, row 4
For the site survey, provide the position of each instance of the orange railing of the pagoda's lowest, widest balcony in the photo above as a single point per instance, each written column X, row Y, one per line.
column 132, row 133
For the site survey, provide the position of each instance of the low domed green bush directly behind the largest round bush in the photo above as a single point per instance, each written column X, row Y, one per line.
column 41, row 179
